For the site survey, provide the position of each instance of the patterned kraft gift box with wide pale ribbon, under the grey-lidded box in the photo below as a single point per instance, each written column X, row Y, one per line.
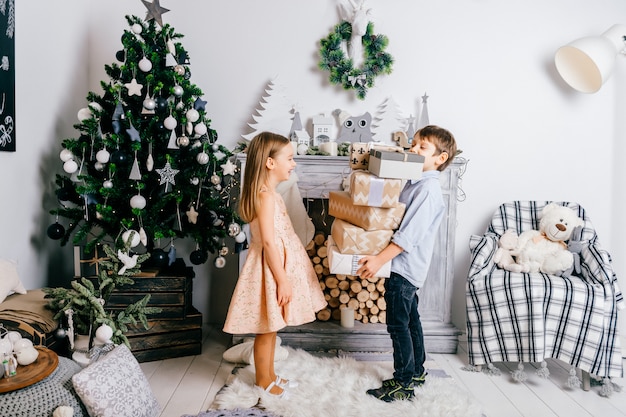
column 367, row 189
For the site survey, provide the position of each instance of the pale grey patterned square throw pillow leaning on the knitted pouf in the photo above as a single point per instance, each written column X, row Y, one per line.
column 115, row 386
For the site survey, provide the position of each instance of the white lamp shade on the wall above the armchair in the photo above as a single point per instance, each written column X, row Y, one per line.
column 586, row 63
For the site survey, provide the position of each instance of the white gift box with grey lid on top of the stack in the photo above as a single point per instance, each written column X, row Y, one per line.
column 403, row 165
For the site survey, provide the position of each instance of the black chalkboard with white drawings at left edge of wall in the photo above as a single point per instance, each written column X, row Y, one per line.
column 7, row 75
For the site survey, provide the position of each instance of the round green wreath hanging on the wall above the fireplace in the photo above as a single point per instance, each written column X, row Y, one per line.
column 333, row 59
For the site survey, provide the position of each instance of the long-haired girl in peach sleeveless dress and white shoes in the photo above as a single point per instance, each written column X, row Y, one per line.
column 277, row 286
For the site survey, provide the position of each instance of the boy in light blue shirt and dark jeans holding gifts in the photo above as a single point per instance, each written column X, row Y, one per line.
column 411, row 250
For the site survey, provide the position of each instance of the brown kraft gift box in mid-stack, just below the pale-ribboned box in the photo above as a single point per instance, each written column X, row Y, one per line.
column 341, row 207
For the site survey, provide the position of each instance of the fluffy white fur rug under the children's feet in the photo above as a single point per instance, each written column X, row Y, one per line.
column 337, row 387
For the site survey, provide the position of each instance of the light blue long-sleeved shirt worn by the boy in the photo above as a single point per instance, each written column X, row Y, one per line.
column 418, row 230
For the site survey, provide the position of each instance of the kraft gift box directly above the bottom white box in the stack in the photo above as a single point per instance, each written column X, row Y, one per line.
column 355, row 240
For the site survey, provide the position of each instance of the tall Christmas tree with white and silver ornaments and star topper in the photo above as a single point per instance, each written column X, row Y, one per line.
column 146, row 168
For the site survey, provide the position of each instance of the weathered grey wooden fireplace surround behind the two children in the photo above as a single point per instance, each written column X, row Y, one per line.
column 318, row 175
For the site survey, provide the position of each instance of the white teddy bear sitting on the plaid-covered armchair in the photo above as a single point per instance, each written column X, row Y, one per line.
column 545, row 250
